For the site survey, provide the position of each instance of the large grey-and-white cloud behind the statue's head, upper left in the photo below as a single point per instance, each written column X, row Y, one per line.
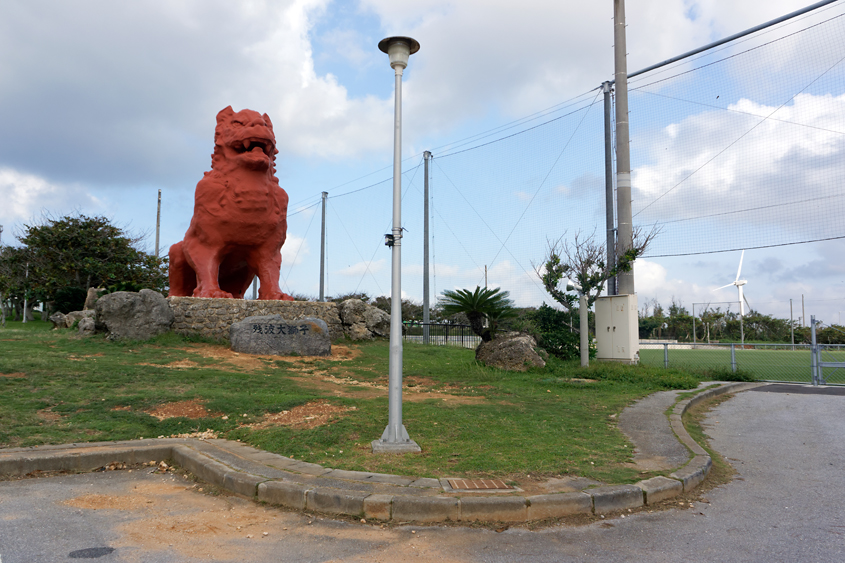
column 128, row 94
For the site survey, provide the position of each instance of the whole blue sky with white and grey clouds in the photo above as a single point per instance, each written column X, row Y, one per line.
column 104, row 103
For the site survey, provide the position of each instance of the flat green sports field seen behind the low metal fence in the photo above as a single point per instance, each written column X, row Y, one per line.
column 762, row 363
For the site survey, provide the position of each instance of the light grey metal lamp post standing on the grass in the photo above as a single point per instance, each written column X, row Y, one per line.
column 395, row 438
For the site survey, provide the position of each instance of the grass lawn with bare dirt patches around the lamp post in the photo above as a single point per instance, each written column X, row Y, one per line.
column 470, row 420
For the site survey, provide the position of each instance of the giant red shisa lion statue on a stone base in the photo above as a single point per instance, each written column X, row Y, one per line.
column 240, row 216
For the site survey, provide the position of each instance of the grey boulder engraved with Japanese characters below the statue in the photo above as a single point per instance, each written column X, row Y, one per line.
column 274, row 335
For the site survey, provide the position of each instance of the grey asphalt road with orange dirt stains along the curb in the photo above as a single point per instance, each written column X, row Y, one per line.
column 787, row 504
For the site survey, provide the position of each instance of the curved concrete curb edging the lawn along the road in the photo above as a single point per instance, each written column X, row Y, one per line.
column 282, row 481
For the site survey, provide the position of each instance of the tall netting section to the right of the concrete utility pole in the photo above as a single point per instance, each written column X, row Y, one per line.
column 742, row 146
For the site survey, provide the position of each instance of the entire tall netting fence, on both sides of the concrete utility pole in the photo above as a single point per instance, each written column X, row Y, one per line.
column 739, row 147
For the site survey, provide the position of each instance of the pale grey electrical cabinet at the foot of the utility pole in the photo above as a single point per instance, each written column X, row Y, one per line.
column 617, row 329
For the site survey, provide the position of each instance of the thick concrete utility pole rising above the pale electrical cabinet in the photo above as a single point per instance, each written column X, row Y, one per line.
column 625, row 234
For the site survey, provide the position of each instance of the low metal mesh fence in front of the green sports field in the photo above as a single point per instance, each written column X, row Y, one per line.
column 766, row 362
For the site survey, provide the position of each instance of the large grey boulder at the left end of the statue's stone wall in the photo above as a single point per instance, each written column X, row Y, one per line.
column 133, row 316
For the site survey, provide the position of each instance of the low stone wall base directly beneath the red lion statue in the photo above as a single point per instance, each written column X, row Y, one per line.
column 213, row 317
